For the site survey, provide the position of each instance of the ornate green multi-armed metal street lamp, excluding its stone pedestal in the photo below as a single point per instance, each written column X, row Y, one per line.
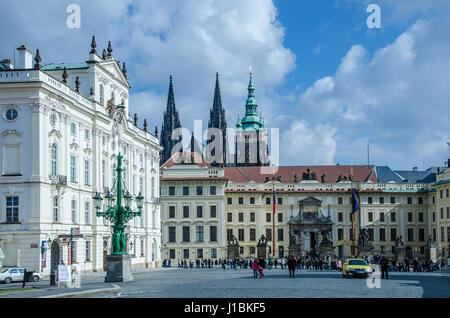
column 119, row 215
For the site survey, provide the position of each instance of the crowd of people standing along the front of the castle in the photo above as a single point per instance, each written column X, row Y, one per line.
column 305, row 263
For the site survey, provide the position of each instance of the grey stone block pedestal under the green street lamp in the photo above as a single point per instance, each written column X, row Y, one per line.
column 118, row 268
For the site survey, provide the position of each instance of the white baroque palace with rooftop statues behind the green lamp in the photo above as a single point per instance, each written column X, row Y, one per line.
column 60, row 133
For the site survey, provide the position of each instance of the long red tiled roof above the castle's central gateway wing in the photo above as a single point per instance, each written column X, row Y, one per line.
column 360, row 173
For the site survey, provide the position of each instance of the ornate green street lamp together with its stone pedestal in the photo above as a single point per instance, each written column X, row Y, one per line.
column 119, row 261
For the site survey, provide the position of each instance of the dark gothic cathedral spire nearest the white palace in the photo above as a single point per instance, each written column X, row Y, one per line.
column 171, row 121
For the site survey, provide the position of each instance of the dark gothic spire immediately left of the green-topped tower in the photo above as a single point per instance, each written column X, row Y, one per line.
column 217, row 120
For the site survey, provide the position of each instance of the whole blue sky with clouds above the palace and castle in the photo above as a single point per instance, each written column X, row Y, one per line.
column 330, row 84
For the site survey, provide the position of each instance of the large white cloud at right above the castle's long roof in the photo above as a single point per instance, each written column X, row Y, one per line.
column 396, row 100
